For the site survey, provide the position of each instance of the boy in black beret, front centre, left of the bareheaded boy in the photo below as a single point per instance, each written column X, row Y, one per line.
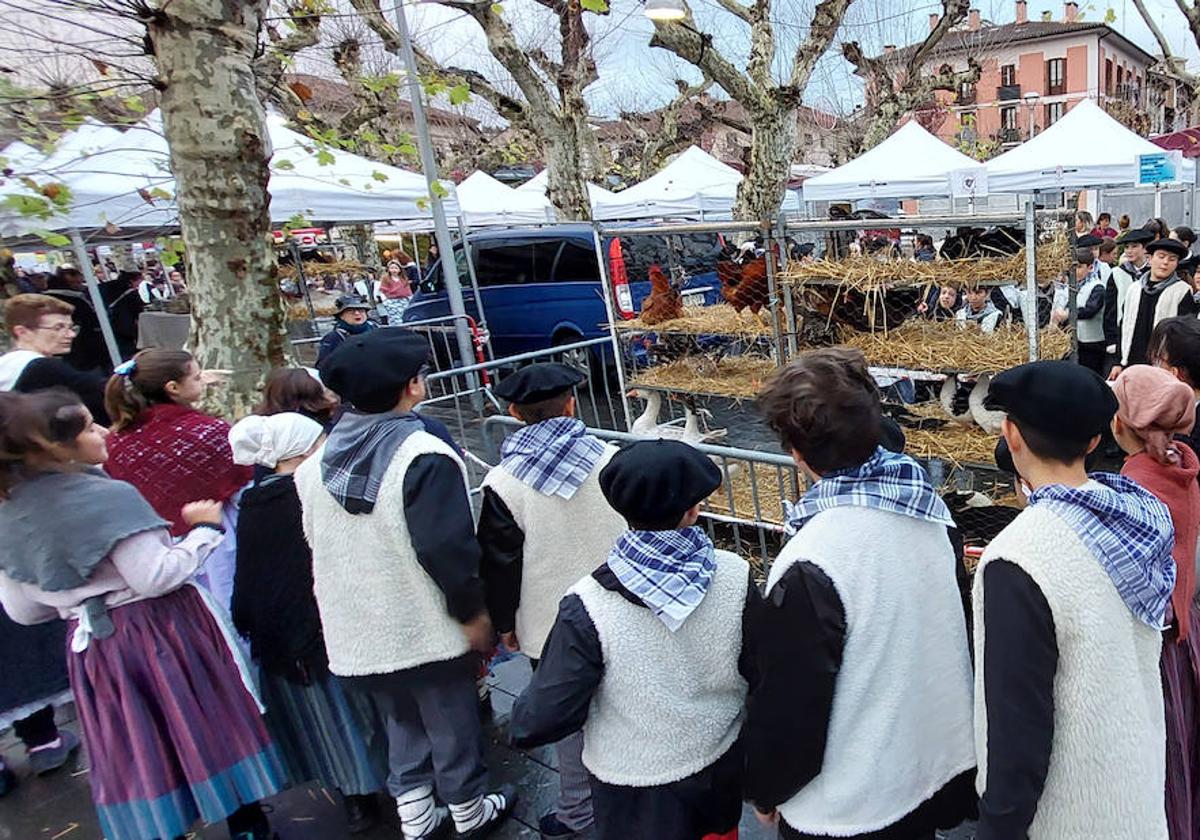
column 646, row 657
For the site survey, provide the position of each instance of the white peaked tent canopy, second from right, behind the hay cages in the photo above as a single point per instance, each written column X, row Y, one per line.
column 911, row 164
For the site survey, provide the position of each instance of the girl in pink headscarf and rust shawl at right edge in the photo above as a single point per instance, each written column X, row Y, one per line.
column 1154, row 409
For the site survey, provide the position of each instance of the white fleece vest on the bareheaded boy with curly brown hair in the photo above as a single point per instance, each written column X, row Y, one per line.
column 901, row 727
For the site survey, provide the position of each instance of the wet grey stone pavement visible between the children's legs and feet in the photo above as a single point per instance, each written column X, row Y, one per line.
column 58, row 807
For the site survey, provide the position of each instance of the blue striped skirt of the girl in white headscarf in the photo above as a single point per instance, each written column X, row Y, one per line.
column 323, row 735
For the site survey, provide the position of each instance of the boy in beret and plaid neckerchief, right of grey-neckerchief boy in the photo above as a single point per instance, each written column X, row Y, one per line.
column 543, row 524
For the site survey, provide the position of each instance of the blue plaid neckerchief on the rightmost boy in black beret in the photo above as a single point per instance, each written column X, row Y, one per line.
column 1130, row 532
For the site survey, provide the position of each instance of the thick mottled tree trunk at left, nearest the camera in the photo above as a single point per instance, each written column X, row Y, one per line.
column 214, row 121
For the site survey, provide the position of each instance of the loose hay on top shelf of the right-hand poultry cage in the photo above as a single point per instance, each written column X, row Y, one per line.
column 865, row 273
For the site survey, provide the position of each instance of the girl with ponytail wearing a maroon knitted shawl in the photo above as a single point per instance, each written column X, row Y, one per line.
column 173, row 453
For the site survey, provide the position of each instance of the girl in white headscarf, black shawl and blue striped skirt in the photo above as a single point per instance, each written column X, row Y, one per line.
column 321, row 731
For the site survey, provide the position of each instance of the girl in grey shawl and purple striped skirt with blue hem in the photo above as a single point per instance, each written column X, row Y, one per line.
column 172, row 729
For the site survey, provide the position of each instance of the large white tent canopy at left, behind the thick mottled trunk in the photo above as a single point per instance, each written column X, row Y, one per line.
column 128, row 183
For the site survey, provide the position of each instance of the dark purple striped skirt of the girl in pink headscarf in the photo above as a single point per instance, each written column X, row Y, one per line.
column 1181, row 695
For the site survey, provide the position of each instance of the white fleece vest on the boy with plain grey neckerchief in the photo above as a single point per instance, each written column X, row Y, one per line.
column 380, row 610
